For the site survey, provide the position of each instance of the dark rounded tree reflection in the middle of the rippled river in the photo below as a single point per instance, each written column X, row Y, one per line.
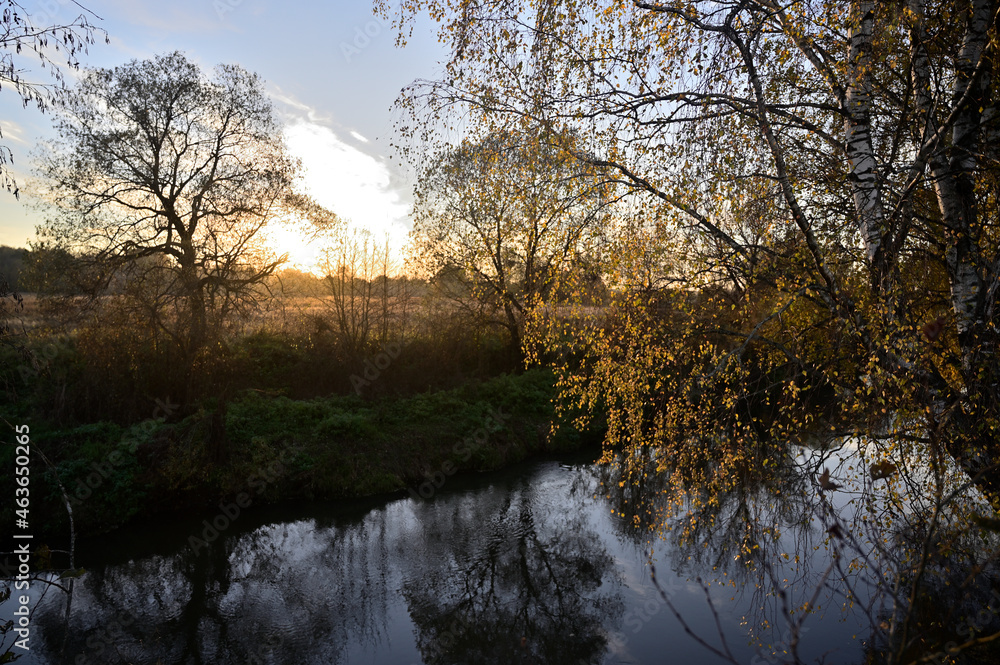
column 516, row 582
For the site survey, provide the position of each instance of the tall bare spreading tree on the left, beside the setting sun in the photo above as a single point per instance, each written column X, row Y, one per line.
column 166, row 177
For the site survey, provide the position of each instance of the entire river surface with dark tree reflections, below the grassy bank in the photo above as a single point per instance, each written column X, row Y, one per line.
column 540, row 565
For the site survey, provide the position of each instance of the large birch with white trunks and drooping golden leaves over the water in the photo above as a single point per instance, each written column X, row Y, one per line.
column 823, row 175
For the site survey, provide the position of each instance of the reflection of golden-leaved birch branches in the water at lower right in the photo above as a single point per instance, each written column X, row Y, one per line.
column 891, row 555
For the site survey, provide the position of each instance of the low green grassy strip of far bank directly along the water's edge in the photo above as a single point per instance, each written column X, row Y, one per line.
column 263, row 448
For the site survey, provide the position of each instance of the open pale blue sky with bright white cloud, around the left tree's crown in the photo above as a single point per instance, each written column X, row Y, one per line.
column 331, row 68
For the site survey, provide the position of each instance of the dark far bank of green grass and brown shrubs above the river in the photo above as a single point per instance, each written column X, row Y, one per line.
column 275, row 412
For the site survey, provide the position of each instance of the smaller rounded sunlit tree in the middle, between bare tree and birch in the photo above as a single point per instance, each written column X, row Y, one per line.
column 508, row 216
